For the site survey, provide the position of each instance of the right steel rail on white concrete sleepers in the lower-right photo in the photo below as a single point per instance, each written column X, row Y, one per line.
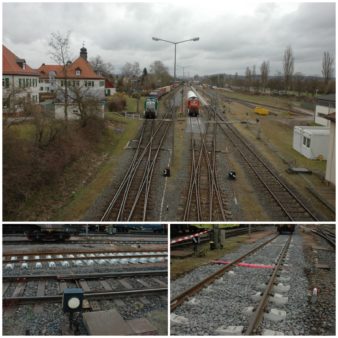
column 258, row 314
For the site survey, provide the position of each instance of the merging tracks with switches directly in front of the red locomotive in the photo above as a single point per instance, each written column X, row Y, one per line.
column 204, row 201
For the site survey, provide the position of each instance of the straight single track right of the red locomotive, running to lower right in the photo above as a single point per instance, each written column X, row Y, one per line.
column 285, row 205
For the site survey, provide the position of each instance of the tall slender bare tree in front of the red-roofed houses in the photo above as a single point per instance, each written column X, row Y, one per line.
column 59, row 52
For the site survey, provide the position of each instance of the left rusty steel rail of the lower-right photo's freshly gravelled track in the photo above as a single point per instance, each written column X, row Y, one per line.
column 181, row 298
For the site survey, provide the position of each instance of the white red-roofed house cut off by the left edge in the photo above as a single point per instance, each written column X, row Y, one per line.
column 19, row 82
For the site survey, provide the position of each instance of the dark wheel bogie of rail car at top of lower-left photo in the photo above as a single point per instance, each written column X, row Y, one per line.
column 49, row 232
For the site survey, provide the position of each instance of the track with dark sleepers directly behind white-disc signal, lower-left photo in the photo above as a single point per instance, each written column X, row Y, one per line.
column 27, row 289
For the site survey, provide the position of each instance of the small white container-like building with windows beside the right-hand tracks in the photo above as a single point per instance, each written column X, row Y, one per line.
column 311, row 142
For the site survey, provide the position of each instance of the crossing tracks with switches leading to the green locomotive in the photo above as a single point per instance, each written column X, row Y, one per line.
column 133, row 197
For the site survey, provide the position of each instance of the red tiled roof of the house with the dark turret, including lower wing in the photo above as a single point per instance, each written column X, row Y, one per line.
column 80, row 63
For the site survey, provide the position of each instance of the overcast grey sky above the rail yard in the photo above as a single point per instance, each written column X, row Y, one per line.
column 233, row 35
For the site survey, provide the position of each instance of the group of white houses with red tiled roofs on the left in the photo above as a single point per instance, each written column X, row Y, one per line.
column 22, row 84
